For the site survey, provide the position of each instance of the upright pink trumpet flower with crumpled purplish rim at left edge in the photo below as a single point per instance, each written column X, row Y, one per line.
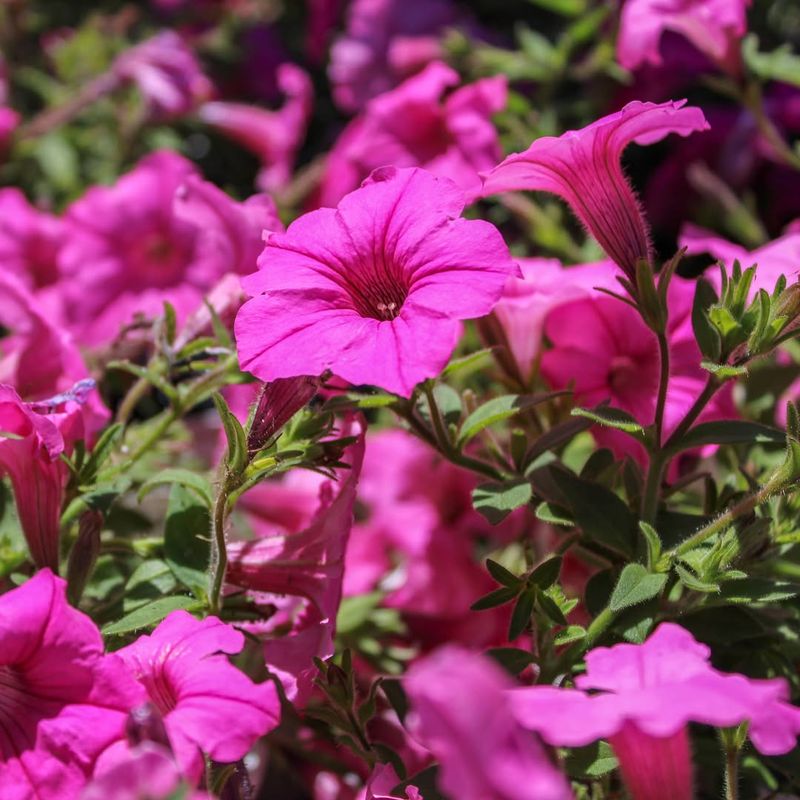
column 32, row 438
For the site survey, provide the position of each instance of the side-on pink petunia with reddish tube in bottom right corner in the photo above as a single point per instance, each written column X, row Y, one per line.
column 647, row 695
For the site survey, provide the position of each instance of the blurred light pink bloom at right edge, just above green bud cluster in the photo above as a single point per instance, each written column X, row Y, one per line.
column 778, row 257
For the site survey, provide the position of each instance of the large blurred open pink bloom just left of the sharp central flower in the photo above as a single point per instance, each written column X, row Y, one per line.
column 159, row 234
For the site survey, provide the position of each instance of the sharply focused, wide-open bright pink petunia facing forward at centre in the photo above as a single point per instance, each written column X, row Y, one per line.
column 375, row 289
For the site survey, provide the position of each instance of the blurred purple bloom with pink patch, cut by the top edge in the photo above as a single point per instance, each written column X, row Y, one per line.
column 386, row 41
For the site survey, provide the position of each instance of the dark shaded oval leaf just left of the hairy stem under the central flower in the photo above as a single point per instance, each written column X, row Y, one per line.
column 187, row 549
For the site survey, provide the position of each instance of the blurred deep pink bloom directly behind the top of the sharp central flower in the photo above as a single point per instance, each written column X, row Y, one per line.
column 415, row 125
